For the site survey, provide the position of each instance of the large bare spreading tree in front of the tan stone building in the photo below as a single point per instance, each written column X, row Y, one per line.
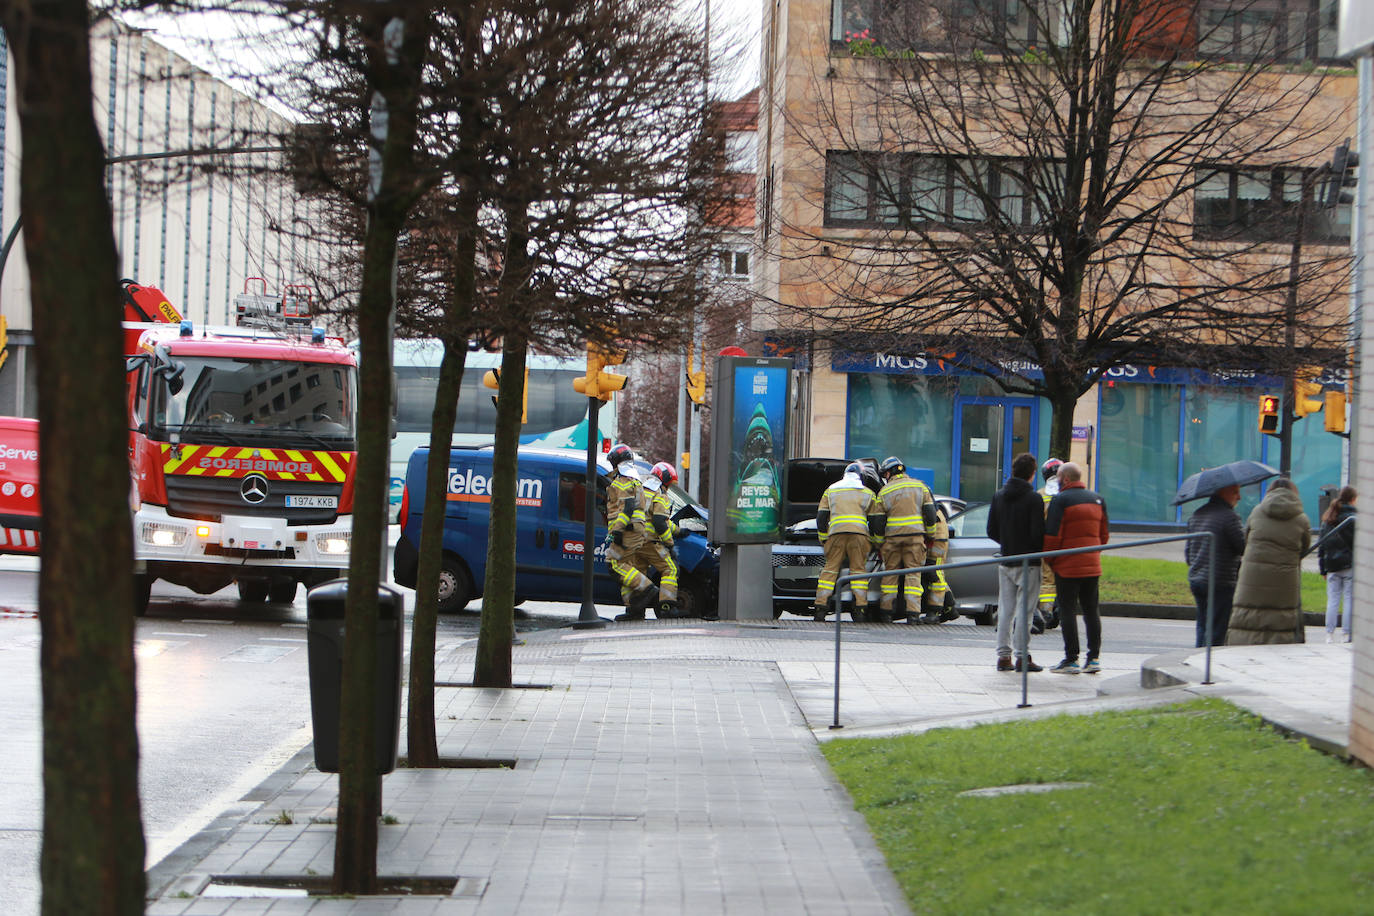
column 1048, row 186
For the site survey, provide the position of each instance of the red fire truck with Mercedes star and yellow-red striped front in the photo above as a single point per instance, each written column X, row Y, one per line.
column 243, row 453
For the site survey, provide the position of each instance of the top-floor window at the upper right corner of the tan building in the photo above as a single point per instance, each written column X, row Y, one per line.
column 1269, row 30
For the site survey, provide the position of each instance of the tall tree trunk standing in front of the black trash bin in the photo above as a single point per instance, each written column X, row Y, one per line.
column 394, row 193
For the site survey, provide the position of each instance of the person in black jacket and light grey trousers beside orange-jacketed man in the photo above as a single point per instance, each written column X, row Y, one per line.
column 1016, row 521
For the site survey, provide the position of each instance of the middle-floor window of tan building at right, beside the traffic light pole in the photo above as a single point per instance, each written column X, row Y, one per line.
column 1261, row 205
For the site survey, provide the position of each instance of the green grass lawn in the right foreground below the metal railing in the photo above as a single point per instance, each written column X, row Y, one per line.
column 1196, row 808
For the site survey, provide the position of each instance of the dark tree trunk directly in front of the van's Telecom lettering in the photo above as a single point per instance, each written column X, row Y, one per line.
column 494, row 642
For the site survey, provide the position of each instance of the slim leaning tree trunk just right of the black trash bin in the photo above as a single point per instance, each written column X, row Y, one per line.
column 421, row 745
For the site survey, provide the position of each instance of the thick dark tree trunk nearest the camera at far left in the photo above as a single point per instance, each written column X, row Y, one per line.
column 93, row 837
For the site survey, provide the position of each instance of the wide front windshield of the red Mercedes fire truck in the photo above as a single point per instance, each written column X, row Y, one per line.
column 270, row 403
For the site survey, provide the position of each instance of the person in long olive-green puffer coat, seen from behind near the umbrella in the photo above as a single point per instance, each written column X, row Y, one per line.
column 1268, row 598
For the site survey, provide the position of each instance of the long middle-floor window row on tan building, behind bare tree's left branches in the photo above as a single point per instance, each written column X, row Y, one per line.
column 913, row 190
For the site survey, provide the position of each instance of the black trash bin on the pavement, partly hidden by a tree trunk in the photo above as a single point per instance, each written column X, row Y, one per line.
column 325, row 631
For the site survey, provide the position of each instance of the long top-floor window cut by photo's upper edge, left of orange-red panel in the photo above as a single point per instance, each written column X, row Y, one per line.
column 935, row 25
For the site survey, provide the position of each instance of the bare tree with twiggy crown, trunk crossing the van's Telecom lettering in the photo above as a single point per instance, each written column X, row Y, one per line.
column 597, row 181
